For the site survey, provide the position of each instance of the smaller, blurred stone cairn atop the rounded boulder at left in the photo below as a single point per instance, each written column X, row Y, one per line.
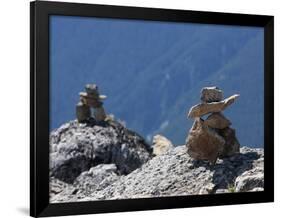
column 90, row 99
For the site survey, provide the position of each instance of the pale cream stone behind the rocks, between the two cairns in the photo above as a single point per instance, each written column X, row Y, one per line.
column 161, row 145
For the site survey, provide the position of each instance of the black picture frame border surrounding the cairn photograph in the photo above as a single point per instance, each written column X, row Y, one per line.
column 39, row 107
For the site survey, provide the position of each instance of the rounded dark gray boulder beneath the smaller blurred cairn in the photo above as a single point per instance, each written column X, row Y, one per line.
column 76, row 147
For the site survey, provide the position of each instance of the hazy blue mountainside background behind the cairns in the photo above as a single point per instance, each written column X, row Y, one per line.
column 152, row 72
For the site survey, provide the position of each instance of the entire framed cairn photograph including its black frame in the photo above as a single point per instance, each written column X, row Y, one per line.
column 144, row 108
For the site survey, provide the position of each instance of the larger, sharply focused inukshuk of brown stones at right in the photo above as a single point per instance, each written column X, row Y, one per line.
column 213, row 137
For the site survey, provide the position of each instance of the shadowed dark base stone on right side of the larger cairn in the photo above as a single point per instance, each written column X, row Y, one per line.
column 231, row 146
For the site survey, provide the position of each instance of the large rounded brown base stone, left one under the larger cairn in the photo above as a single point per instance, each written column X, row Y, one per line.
column 203, row 143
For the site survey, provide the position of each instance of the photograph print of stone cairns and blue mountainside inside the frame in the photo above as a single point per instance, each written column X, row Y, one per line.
column 144, row 109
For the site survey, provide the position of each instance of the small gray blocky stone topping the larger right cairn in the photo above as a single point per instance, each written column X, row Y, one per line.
column 211, row 94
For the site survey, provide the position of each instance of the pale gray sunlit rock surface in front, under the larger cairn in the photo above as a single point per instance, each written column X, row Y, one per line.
column 171, row 174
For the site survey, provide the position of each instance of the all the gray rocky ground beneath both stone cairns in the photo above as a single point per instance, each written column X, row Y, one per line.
column 97, row 162
